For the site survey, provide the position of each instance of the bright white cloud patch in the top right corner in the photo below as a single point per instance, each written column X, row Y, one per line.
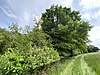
column 87, row 4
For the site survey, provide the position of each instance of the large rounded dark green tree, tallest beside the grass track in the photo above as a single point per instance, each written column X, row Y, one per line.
column 67, row 30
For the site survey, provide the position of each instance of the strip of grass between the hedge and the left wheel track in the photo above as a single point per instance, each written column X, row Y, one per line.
column 59, row 67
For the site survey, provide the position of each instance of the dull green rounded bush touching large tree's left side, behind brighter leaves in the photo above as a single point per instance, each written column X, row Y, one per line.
column 39, row 38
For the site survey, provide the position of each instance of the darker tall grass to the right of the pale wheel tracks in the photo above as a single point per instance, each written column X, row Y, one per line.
column 93, row 60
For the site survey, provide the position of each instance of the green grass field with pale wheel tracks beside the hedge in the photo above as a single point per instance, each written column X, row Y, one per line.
column 85, row 64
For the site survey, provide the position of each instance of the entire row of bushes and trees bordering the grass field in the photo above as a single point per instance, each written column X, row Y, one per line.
column 24, row 51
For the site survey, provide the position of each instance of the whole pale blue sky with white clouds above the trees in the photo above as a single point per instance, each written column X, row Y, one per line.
column 23, row 12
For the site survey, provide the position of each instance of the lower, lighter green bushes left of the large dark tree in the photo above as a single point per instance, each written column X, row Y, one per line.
column 23, row 53
